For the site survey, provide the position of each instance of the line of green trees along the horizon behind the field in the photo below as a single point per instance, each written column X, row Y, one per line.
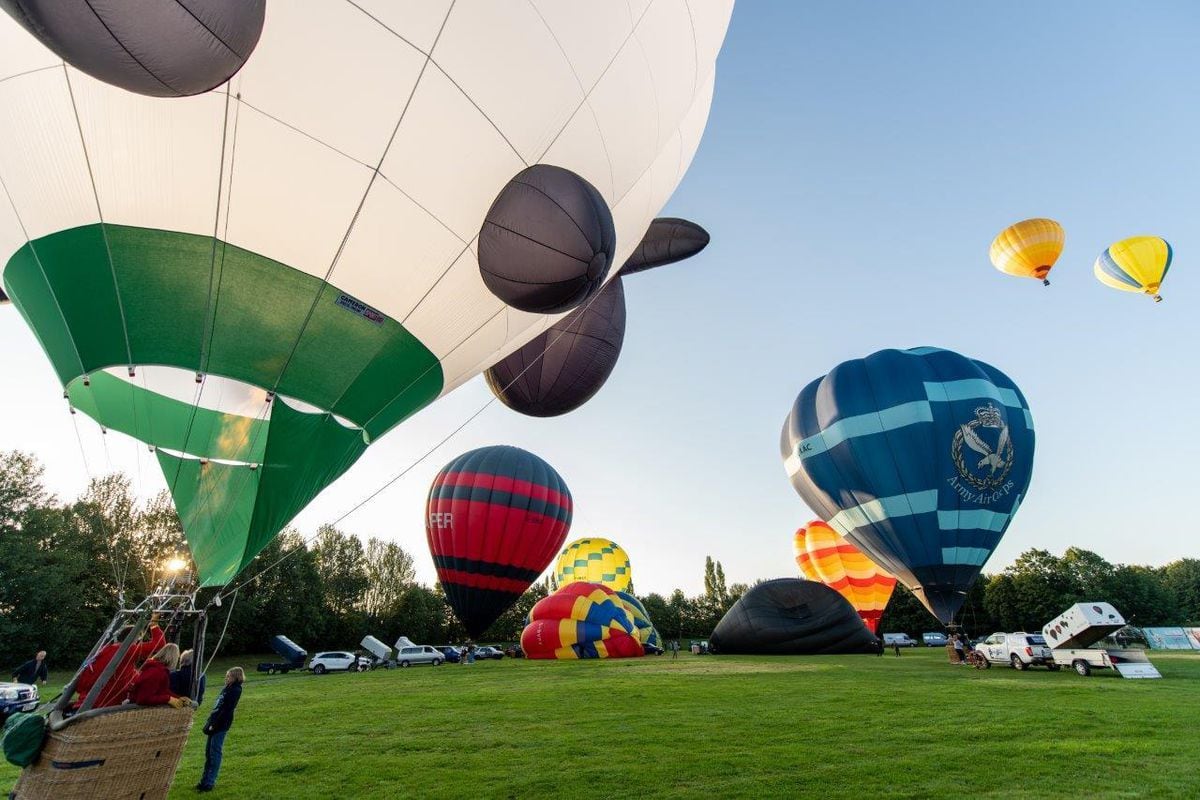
column 64, row 566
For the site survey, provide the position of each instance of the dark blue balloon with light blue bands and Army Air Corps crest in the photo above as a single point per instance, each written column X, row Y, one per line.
column 920, row 459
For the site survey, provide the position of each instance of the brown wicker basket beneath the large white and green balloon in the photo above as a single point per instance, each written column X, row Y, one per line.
column 123, row 753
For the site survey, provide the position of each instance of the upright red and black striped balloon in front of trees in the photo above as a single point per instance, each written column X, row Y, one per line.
column 495, row 520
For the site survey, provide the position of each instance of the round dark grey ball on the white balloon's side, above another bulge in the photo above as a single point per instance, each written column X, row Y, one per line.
column 548, row 242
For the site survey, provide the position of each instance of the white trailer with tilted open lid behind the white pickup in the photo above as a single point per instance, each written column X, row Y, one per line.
column 1072, row 634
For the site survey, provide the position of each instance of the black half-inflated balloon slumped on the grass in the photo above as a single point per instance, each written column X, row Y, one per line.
column 793, row 617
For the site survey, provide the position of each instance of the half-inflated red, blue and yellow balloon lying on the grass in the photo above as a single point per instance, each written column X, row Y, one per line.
column 583, row 621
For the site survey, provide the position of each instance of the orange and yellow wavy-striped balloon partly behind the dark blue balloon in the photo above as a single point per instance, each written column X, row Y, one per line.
column 825, row 556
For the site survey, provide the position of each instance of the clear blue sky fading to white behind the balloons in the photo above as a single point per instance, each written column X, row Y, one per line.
column 859, row 160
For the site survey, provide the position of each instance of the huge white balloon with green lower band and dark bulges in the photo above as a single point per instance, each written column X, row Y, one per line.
column 257, row 273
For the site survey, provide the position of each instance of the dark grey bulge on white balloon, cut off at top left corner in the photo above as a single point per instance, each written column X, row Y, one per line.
column 161, row 49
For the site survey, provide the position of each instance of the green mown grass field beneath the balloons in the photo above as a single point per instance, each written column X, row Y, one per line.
column 716, row 726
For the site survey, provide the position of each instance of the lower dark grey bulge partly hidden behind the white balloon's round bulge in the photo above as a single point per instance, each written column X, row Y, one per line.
column 563, row 368
